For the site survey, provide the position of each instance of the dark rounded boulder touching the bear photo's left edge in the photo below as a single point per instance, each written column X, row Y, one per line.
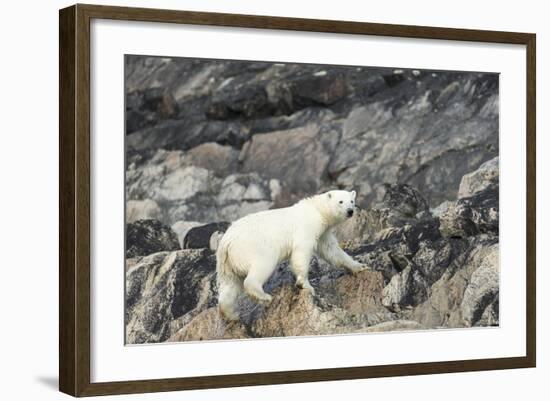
column 144, row 237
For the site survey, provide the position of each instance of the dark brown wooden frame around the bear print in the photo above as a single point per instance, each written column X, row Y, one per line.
column 74, row 199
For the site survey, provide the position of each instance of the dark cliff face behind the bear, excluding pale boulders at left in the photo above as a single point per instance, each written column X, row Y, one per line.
column 311, row 127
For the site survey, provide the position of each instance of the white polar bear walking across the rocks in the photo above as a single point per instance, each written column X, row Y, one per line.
column 253, row 246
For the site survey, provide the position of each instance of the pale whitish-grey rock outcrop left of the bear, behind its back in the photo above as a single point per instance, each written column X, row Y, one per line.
column 192, row 193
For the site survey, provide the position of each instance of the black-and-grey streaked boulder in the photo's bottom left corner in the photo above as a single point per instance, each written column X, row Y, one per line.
column 165, row 291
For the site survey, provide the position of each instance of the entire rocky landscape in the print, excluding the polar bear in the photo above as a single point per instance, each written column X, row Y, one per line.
column 210, row 141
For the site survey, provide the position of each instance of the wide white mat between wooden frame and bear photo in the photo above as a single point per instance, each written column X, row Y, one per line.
column 111, row 361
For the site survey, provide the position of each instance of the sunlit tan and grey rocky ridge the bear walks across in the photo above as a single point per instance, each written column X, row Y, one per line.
column 429, row 269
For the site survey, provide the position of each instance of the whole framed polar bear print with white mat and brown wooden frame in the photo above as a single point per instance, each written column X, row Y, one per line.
column 250, row 200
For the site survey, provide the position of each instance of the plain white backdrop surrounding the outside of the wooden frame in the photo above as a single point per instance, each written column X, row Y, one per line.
column 29, row 198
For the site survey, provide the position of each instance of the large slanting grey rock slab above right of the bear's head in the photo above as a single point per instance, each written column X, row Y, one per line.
column 436, row 139
